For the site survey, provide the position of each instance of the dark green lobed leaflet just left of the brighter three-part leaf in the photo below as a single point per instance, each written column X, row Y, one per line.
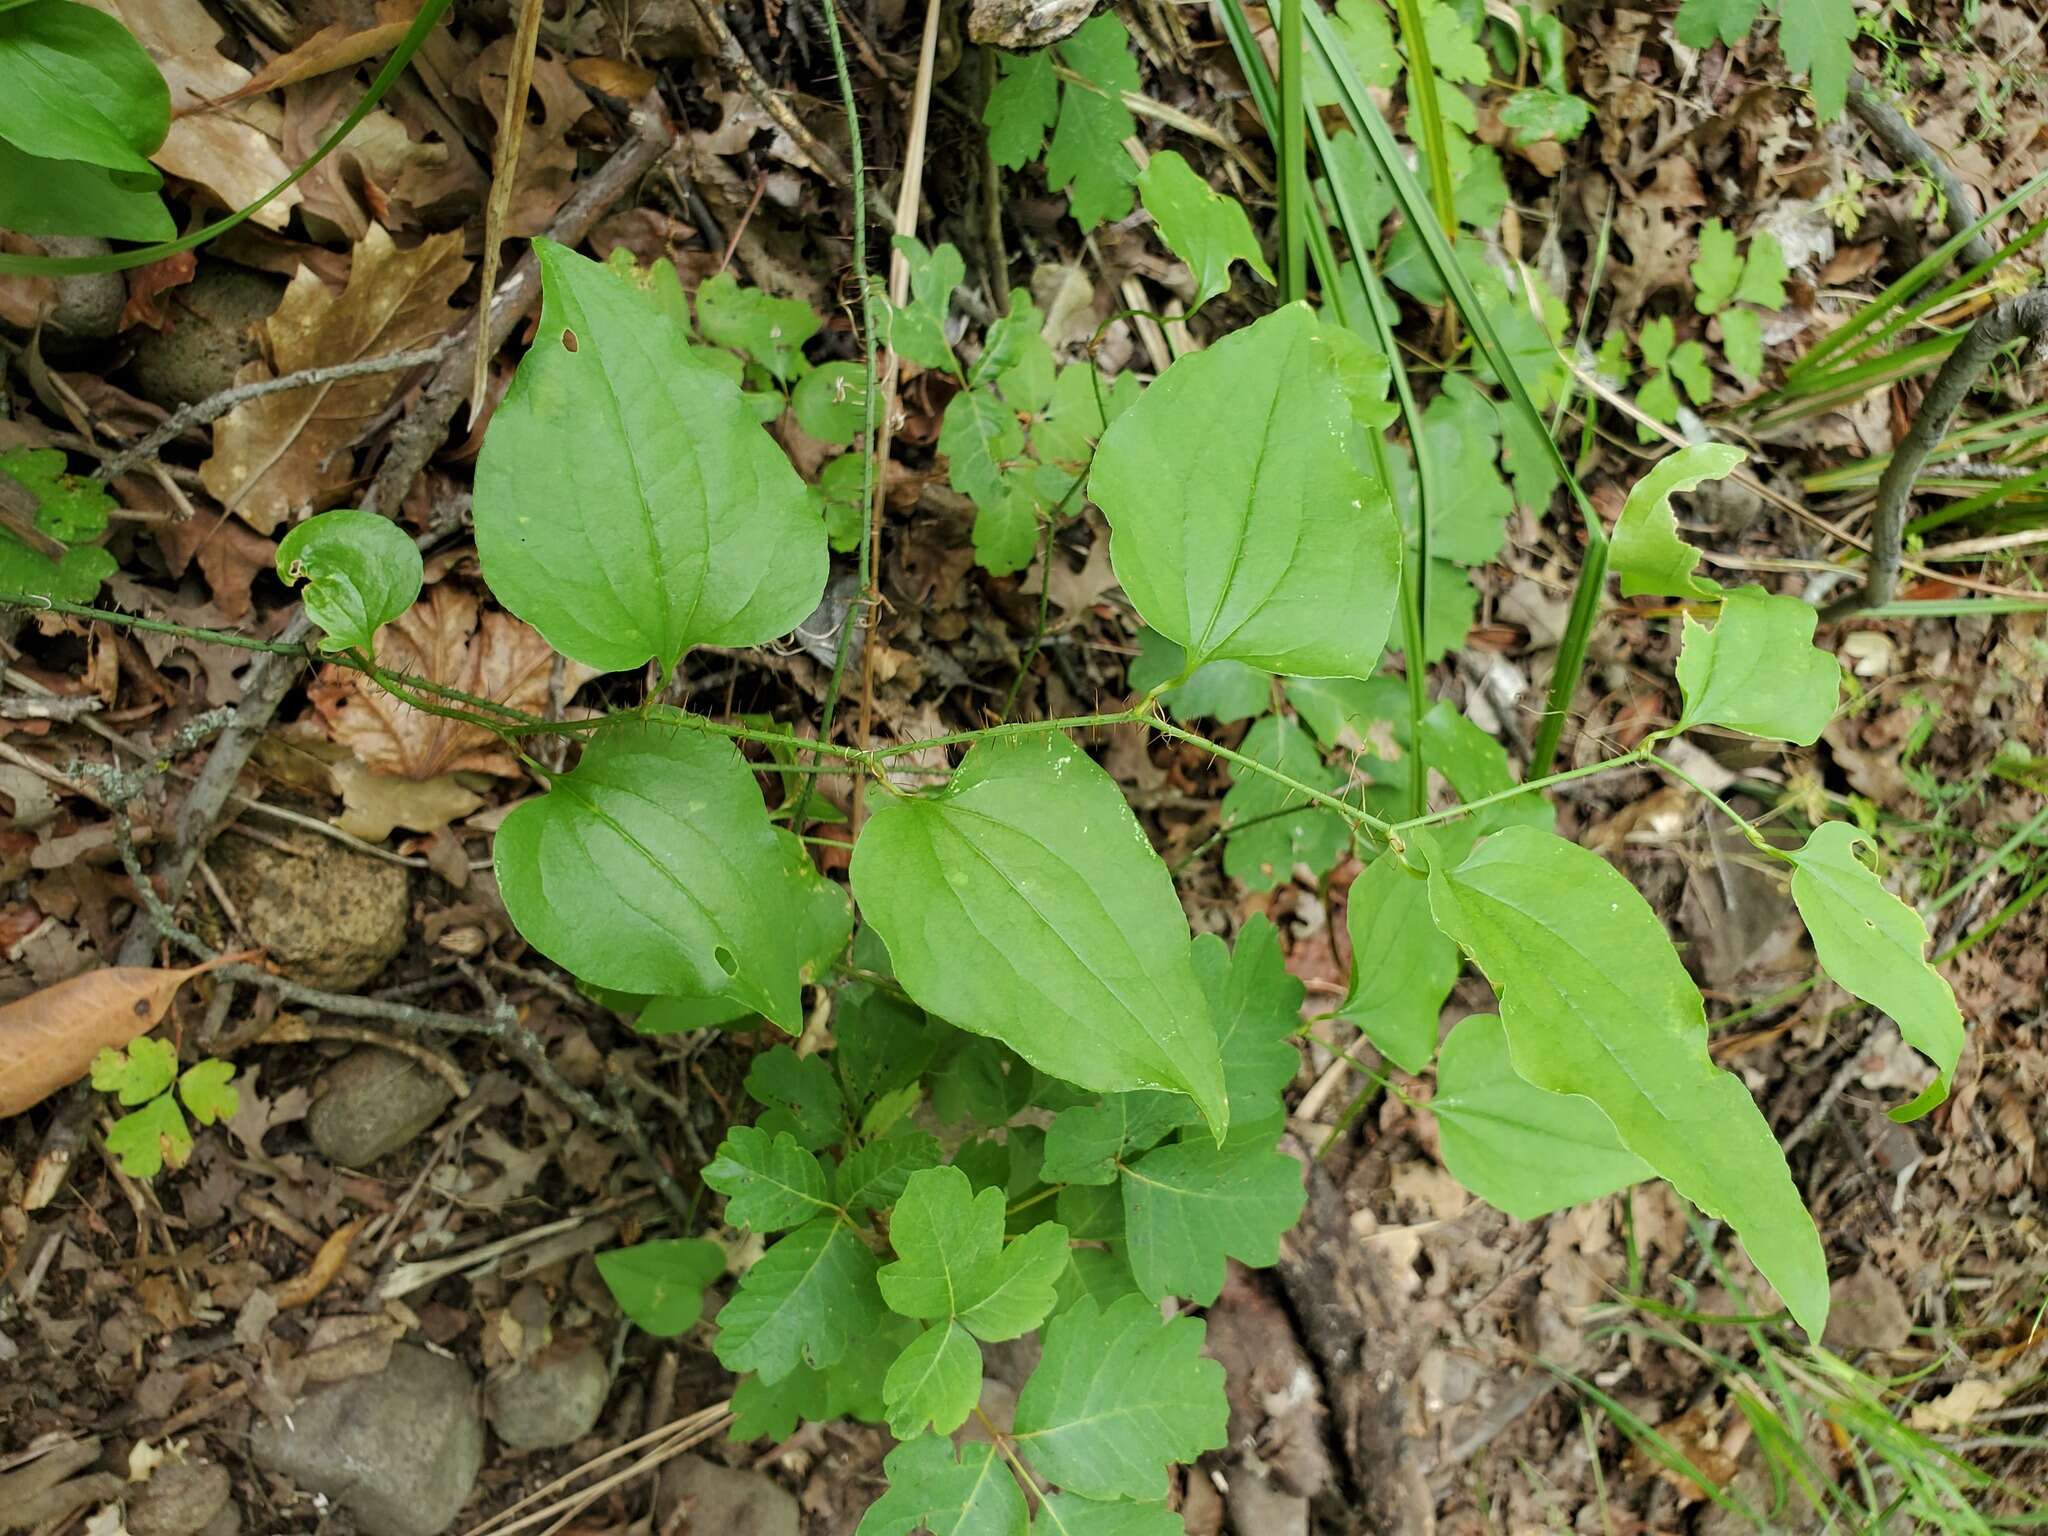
column 802, row 1304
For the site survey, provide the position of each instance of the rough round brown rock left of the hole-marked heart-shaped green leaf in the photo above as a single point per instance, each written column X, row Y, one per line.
column 331, row 919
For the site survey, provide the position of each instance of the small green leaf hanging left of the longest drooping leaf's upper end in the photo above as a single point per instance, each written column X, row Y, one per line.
column 1402, row 966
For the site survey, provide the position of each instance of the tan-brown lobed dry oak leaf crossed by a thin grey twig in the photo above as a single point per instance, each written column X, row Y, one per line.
column 286, row 454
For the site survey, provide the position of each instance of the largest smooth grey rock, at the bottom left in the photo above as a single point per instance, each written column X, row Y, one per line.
column 400, row 1449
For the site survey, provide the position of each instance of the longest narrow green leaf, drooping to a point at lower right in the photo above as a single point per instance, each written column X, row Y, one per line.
column 1596, row 1002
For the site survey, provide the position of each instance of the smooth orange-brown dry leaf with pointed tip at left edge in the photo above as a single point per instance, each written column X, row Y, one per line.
column 50, row 1037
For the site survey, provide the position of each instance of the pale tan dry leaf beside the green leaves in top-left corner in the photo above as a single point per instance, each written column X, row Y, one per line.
column 228, row 151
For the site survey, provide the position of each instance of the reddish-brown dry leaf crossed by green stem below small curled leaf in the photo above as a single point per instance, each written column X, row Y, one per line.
column 445, row 640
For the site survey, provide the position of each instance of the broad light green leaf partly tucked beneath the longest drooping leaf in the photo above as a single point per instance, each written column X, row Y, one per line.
column 1521, row 1148
